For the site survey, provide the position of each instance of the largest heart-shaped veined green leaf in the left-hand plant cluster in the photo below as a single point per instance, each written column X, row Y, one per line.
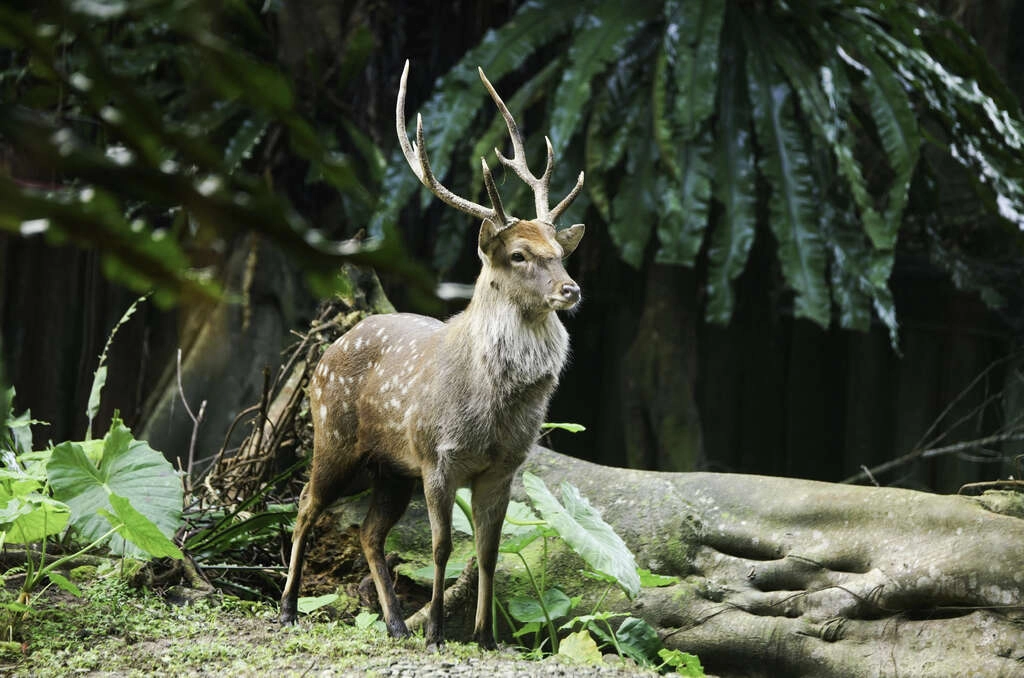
column 129, row 469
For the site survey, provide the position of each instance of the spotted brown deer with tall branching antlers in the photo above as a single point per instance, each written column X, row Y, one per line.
column 452, row 405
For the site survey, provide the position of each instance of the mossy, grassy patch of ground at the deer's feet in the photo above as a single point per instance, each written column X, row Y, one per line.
column 115, row 630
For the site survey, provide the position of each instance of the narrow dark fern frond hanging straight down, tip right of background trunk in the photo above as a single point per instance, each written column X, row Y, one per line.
column 735, row 185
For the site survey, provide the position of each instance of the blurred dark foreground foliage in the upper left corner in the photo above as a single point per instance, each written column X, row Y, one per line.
column 153, row 132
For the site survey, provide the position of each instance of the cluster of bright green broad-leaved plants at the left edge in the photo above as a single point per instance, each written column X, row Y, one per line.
column 115, row 492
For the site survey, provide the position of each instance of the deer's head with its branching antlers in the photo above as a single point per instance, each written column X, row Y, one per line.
column 522, row 260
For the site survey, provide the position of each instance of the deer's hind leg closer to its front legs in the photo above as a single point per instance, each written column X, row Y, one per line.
column 390, row 499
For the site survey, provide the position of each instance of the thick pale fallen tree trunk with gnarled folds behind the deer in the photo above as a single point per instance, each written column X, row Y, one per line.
column 782, row 577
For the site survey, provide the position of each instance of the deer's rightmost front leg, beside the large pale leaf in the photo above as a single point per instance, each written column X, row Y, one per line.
column 491, row 499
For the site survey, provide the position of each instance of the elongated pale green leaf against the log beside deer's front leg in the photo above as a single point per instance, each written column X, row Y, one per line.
column 583, row 529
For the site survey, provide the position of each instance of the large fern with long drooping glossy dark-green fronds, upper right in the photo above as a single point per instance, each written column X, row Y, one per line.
column 705, row 124
